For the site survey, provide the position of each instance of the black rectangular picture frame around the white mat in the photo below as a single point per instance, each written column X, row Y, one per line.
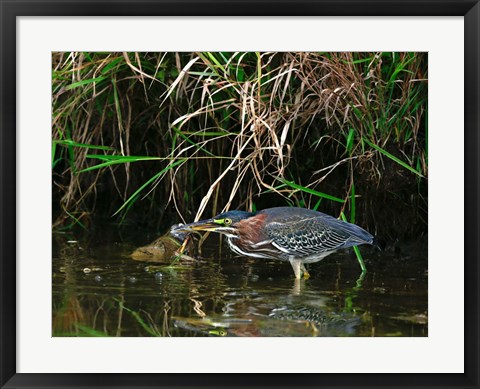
column 9, row 378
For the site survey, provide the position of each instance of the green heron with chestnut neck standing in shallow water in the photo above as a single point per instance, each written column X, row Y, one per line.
column 291, row 234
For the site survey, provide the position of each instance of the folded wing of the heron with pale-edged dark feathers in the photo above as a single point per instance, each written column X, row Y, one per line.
column 307, row 237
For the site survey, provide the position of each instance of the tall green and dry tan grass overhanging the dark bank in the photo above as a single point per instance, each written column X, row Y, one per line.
column 141, row 135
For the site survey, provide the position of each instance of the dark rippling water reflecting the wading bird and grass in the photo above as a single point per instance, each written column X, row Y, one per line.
column 99, row 291
